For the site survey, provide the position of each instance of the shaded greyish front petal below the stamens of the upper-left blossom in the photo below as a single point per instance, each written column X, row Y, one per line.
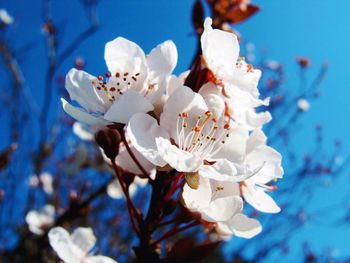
column 126, row 106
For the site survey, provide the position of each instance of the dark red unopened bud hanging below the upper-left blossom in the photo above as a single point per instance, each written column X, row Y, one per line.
column 108, row 140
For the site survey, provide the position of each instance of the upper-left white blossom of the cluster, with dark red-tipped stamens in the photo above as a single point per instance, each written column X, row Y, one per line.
column 132, row 84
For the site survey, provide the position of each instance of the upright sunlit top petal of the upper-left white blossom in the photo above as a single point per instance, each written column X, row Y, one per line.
column 121, row 49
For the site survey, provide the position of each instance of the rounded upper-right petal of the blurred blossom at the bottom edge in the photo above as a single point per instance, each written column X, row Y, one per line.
column 84, row 238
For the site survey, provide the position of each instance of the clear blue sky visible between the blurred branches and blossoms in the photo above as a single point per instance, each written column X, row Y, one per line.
column 312, row 28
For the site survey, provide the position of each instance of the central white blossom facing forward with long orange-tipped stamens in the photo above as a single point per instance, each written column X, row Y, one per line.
column 192, row 133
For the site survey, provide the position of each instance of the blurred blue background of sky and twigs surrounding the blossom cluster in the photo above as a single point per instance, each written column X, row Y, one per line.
column 303, row 45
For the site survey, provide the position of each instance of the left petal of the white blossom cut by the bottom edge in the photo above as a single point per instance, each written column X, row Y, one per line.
column 66, row 250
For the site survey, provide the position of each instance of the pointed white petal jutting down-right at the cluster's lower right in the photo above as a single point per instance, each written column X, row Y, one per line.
column 257, row 198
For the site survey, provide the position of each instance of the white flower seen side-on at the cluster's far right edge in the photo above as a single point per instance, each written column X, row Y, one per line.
column 267, row 162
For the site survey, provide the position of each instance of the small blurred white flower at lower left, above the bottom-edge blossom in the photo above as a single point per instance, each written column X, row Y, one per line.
column 40, row 220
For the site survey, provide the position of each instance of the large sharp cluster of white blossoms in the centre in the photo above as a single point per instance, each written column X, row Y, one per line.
column 202, row 126
